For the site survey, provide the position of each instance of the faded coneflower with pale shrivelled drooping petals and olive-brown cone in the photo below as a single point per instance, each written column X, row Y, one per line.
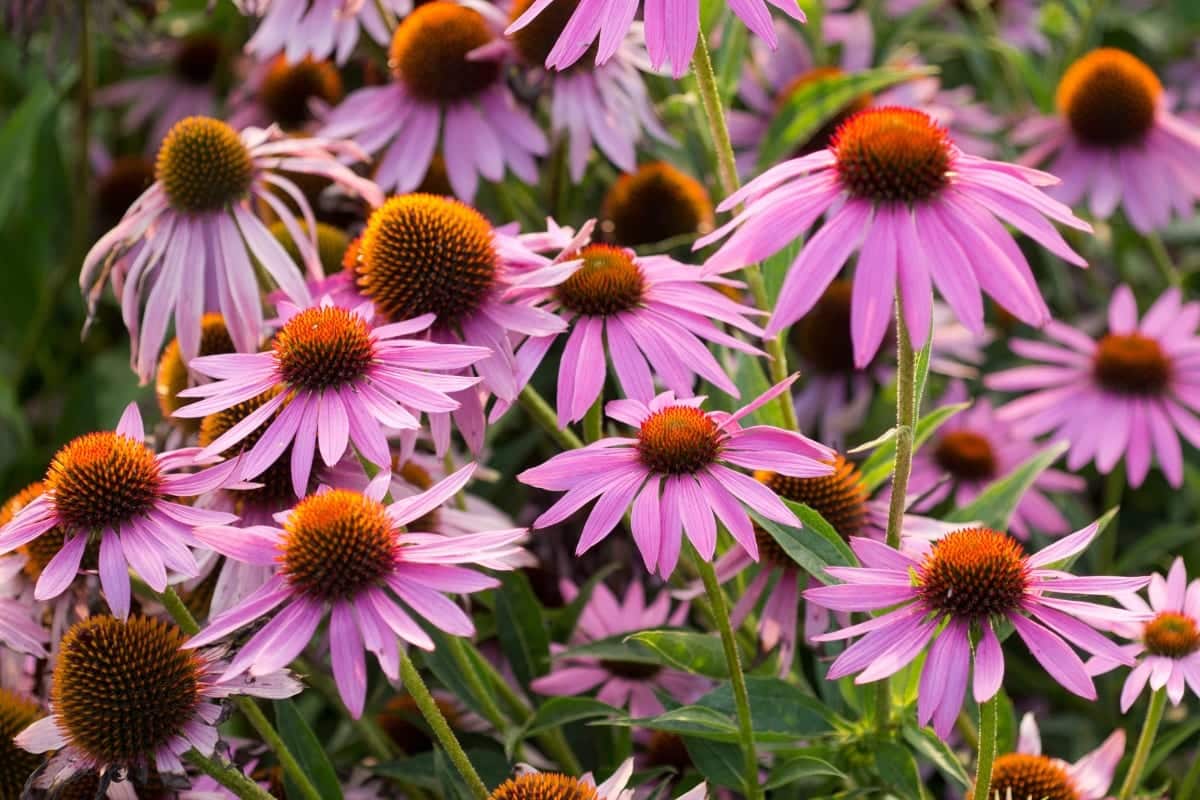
column 197, row 240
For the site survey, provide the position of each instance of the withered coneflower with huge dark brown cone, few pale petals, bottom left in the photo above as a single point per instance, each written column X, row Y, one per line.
column 130, row 695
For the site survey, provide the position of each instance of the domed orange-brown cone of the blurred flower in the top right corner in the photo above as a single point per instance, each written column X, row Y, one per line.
column 1109, row 99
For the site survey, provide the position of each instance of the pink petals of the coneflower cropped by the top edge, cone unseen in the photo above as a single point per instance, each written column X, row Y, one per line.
column 671, row 31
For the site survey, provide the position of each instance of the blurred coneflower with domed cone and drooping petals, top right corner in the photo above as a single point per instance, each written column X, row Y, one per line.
column 1117, row 142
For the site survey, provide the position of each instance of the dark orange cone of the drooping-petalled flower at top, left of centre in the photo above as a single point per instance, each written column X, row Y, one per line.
column 429, row 53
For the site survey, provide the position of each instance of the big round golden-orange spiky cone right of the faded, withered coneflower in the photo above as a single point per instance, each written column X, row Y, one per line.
column 424, row 254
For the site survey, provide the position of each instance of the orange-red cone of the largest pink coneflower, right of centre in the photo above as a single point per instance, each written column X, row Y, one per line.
column 892, row 155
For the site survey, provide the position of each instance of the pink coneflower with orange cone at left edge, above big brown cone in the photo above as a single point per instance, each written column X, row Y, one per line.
column 109, row 491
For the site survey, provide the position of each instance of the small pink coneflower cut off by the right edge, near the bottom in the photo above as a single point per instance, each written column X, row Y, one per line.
column 1168, row 646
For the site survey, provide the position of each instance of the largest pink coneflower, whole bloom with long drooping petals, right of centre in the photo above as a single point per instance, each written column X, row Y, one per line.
column 896, row 188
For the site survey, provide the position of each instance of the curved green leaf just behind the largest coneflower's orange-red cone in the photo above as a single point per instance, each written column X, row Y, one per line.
column 815, row 105
